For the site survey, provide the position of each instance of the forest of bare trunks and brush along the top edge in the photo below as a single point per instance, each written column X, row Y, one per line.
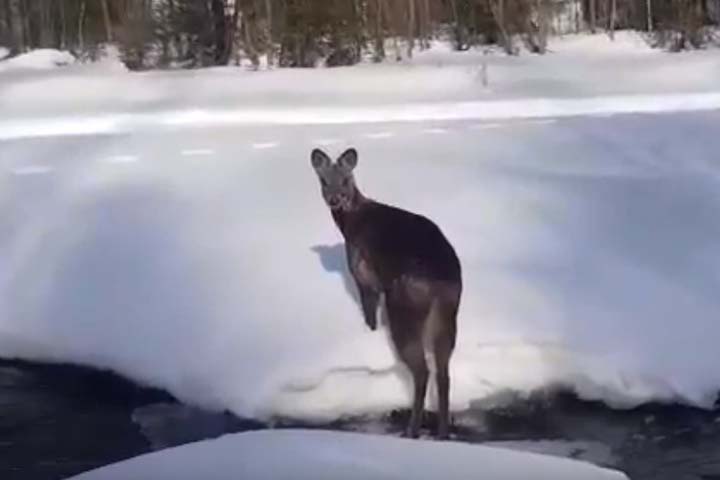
column 308, row 33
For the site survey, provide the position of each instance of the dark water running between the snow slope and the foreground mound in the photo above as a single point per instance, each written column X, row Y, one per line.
column 57, row 421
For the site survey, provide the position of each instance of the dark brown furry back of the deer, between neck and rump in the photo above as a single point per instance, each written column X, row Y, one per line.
column 397, row 242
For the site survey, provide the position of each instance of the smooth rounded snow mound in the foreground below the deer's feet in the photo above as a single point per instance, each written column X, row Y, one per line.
column 298, row 454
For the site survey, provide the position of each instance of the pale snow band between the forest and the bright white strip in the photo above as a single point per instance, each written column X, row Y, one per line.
column 577, row 67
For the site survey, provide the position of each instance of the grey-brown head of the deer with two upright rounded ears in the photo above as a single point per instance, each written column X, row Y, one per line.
column 336, row 179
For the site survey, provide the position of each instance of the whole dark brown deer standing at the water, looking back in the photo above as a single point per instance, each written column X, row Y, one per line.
column 406, row 260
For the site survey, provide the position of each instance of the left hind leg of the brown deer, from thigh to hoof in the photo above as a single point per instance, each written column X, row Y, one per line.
column 406, row 319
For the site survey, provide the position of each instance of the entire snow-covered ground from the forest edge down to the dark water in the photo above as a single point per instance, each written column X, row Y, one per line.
column 202, row 260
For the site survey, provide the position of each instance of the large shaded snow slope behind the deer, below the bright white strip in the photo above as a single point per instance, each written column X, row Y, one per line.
column 204, row 261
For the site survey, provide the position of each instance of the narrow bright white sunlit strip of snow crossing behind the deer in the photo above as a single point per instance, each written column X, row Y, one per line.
column 442, row 111
